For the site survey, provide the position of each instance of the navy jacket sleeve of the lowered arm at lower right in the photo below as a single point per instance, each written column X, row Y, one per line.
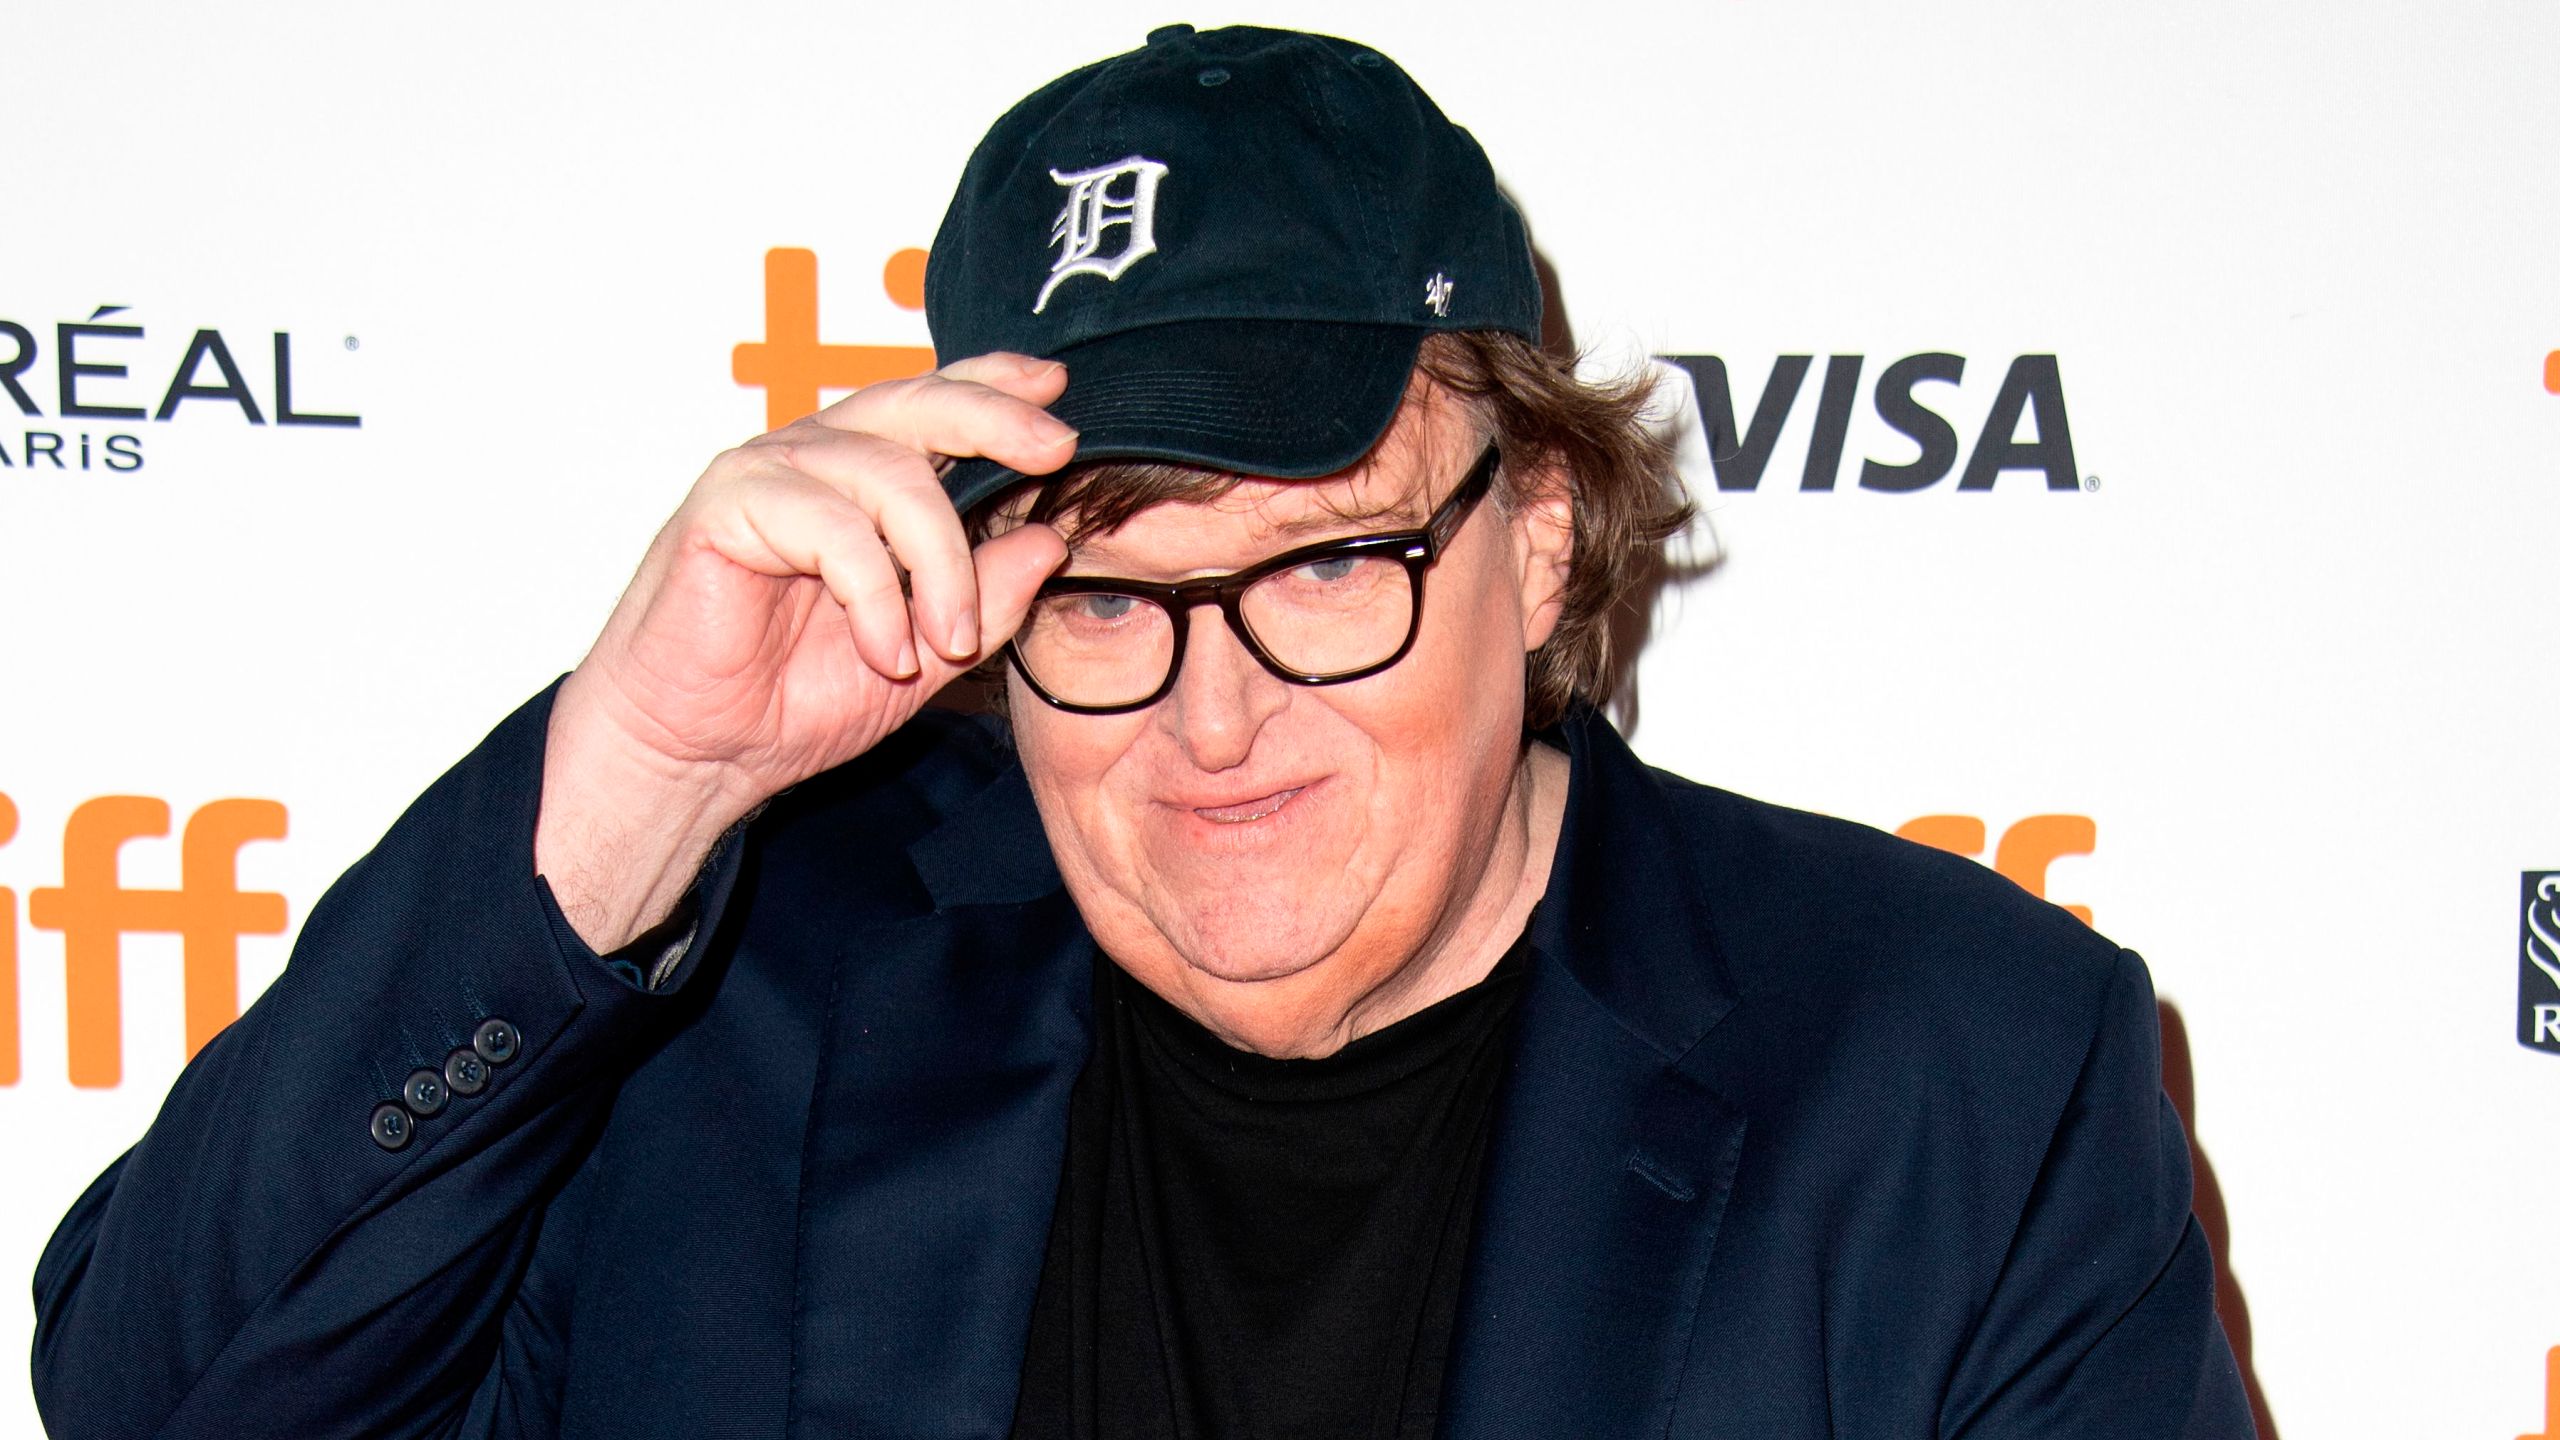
column 2103, row 1321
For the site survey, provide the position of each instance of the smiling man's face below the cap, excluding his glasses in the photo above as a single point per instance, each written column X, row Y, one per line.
column 1276, row 857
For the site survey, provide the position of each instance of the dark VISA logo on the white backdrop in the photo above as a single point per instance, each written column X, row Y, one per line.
column 2031, row 388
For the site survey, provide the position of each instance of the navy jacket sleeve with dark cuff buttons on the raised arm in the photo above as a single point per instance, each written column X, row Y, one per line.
column 283, row 1257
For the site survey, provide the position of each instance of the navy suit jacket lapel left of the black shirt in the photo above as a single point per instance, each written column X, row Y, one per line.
column 938, row 1136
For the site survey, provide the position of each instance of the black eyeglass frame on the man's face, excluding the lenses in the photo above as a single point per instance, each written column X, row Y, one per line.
column 1417, row 550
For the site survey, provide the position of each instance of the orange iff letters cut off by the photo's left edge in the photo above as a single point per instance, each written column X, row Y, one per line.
column 93, row 911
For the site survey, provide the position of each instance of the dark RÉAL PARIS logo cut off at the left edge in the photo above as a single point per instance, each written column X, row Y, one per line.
column 93, row 388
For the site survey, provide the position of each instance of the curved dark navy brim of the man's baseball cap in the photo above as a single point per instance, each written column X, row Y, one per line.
column 1271, row 398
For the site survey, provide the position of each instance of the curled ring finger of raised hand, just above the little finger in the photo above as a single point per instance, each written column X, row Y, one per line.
column 902, row 496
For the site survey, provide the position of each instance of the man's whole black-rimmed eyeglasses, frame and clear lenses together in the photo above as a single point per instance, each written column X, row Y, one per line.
column 1322, row 614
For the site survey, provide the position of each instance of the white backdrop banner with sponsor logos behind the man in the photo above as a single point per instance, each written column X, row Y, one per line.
column 2126, row 442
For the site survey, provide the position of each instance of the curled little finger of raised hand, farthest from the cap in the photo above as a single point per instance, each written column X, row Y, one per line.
column 797, row 527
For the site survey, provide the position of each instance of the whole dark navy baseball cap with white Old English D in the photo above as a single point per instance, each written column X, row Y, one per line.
column 1235, row 242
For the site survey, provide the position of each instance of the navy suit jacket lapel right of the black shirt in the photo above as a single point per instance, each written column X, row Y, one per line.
column 1609, row 1165
